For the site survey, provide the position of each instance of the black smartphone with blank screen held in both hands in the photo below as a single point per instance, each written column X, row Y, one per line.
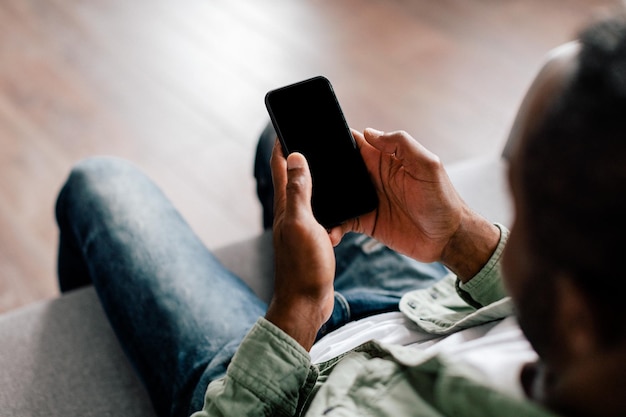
column 308, row 119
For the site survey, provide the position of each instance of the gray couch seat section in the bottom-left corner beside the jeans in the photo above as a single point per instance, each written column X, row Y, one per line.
column 61, row 358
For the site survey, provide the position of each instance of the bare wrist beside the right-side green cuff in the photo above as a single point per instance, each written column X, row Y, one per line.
column 471, row 246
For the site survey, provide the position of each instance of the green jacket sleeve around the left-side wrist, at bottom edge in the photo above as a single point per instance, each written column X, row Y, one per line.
column 270, row 375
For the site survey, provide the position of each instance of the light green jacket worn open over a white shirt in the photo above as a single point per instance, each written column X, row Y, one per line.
column 271, row 375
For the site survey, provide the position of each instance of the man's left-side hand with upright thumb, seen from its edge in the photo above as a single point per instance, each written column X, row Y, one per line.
column 304, row 259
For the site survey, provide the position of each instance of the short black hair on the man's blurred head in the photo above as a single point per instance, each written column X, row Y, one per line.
column 574, row 176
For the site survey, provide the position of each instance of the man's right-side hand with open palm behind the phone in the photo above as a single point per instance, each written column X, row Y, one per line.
column 420, row 213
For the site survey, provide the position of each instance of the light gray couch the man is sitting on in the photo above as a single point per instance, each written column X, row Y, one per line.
column 61, row 358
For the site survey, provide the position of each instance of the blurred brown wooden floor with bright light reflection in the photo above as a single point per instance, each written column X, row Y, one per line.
column 178, row 86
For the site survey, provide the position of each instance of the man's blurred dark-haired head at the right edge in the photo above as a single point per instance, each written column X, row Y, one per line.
column 568, row 176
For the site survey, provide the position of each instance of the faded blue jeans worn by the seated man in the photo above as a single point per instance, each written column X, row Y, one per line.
column 177, row 312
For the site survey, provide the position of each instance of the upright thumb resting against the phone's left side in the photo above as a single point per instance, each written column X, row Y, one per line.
column 299, row 186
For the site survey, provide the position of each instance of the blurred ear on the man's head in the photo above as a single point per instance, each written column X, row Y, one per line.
column 576, row 321
